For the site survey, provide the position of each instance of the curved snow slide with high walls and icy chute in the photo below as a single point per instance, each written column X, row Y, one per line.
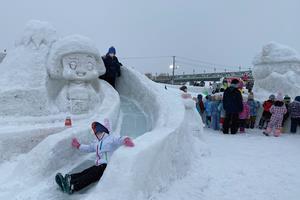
column 155, row 162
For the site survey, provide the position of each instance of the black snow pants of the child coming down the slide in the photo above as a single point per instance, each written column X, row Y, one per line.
column 86, row 177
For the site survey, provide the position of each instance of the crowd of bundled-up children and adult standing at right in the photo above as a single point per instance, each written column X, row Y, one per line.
column 231, row 111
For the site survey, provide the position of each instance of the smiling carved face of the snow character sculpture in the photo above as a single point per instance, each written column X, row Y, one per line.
column 79, row 67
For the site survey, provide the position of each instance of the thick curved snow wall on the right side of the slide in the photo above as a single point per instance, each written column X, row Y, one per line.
column 161, row 155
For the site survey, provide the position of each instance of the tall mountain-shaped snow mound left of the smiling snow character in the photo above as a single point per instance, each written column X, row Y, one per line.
column 23, row 72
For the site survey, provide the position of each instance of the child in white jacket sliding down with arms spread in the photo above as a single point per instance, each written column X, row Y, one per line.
column 104, row 146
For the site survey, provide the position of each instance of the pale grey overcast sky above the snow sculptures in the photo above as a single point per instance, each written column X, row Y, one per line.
column 226, row 32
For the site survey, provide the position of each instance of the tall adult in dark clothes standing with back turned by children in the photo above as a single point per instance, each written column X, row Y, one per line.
column 233, row 105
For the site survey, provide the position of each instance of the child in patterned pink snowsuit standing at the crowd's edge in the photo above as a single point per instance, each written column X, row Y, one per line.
column 277, row 110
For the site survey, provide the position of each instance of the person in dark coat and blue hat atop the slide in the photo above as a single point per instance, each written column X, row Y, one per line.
column 113, row 67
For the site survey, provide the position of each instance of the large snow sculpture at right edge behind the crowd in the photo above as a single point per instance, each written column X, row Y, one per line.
column 276, row 68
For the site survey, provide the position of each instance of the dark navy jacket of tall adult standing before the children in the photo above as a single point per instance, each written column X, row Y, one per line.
column 232, row 100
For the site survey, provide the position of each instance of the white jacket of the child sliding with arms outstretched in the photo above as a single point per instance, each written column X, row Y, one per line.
column 104, row 148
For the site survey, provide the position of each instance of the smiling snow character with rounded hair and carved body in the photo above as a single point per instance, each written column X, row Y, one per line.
column 74, row 65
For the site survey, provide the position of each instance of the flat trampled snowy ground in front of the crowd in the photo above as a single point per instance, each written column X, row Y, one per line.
column 244, row 166
